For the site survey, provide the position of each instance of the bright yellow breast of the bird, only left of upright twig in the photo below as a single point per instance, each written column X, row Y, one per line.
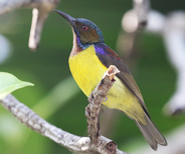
column 86, row 69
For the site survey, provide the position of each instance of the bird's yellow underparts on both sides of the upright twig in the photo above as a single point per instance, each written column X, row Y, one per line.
column 87, row 70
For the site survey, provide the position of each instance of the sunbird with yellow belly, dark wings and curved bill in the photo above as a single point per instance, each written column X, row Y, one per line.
column 89, row 59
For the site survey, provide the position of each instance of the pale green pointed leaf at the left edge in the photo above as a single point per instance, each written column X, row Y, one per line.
column 9, row 83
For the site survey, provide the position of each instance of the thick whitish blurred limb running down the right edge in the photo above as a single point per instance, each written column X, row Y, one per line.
column 174, row 34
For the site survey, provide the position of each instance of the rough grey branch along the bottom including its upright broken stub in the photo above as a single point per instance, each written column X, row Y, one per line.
column 93, row 144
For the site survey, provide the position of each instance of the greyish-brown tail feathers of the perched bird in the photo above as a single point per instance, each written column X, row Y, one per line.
column 151, row 133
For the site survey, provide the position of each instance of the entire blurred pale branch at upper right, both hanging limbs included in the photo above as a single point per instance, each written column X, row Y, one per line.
column 172, row 29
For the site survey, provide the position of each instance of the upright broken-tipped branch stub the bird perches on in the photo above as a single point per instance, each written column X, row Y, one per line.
column 96, row 98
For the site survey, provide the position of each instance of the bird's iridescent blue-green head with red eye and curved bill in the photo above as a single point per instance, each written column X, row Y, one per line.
column 86, row 32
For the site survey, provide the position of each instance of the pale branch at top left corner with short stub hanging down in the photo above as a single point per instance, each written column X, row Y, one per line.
column 40, row 12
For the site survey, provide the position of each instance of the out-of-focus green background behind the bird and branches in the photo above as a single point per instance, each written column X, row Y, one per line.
column 56, row 97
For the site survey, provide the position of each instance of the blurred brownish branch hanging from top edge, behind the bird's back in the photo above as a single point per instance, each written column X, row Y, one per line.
column 133, row 22
